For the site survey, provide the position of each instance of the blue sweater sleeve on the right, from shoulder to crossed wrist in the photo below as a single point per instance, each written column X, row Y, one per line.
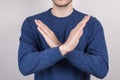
column 95, row 59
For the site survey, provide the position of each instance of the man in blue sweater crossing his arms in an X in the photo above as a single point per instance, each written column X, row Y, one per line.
column 62, row 44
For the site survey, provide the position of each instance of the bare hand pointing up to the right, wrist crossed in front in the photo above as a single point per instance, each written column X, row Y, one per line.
column 74, row 37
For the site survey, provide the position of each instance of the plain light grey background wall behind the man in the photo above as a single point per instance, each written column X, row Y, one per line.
column 13, row 12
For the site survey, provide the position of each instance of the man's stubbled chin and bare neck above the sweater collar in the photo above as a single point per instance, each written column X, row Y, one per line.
column 62, row 8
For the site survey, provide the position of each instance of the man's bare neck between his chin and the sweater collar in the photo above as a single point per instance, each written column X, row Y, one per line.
column 62, row 11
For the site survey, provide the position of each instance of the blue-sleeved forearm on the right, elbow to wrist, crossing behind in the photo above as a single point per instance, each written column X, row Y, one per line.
column 93, row 64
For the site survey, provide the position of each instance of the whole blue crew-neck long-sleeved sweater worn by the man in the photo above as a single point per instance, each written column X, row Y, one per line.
column 88, row 58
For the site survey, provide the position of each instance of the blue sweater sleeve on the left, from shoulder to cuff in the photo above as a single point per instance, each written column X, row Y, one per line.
column 30, row 59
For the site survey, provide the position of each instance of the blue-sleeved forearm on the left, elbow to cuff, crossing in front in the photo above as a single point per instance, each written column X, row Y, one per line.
column 31, row 62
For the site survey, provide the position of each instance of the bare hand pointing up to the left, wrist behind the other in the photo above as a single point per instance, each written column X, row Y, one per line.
column 48, row 34
